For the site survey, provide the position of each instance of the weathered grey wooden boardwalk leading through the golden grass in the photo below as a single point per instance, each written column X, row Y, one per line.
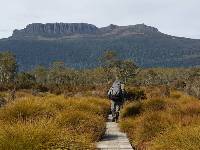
column 114, row 139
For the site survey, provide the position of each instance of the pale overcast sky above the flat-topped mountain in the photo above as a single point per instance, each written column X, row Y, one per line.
column 175, row 17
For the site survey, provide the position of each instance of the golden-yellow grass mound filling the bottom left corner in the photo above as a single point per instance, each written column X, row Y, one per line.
column 40, row 135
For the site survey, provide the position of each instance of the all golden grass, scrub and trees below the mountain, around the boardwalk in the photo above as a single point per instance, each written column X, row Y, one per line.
column 64, row 108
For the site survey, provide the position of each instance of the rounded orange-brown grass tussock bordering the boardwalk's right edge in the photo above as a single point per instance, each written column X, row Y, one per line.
column 144, row 128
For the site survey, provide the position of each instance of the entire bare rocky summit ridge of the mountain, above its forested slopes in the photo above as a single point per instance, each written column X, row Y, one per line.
column 68, row 29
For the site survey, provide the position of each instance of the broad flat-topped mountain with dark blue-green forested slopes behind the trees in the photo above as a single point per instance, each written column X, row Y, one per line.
column 80, row 45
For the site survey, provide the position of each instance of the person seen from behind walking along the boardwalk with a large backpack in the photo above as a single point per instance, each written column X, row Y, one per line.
column 116, row 95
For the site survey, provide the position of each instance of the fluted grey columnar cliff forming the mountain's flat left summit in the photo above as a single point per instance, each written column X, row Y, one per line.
column 55, row 29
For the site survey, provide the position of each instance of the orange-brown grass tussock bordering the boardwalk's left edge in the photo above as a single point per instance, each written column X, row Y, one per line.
column 82, row 122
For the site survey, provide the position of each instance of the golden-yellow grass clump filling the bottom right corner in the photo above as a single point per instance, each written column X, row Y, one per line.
column 180, row 138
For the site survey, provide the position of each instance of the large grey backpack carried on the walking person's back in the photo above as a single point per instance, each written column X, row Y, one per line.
column 115, row 92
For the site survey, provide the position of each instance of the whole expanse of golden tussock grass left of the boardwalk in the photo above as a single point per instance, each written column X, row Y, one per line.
column 52, row 122
